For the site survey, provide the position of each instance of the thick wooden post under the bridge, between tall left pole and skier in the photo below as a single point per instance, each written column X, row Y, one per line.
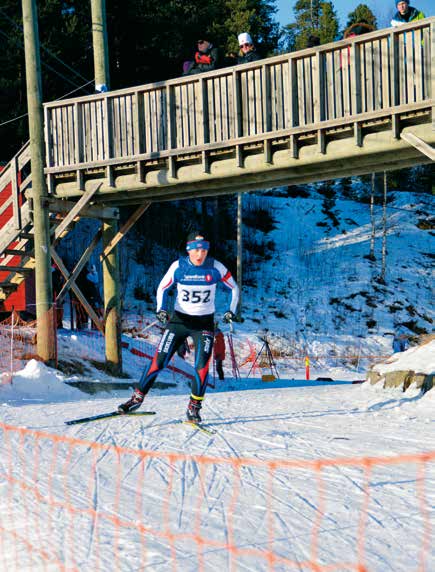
column 112, row 306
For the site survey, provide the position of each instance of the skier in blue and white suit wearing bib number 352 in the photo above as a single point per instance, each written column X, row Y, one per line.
column 196, row 277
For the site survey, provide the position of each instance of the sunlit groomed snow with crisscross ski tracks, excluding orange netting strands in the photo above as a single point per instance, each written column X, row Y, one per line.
column 293, row 423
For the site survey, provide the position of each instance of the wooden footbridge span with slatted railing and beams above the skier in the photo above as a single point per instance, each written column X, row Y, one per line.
column 345, row 108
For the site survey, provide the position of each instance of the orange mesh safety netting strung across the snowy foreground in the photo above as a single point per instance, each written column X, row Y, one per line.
column 69, row 504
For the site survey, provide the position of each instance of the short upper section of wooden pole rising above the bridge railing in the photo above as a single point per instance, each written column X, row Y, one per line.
column 99, row 40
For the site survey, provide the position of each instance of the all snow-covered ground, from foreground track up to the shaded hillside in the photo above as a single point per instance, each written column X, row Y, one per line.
column 301, row 475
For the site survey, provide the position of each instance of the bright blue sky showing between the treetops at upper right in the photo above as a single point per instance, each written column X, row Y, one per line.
column 382, row 10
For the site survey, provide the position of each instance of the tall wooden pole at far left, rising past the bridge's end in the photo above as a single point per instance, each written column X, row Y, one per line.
column 44, row 292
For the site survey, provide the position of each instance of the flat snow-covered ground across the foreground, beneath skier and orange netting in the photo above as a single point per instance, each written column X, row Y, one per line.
column 174, row 498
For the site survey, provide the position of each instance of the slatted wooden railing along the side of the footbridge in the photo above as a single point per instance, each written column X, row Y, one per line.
column 373, row 75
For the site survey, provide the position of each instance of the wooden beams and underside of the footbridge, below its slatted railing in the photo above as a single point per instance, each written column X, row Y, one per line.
column 281, row 159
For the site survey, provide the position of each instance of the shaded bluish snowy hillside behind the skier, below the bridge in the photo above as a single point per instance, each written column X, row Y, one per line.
column 309, row 281
